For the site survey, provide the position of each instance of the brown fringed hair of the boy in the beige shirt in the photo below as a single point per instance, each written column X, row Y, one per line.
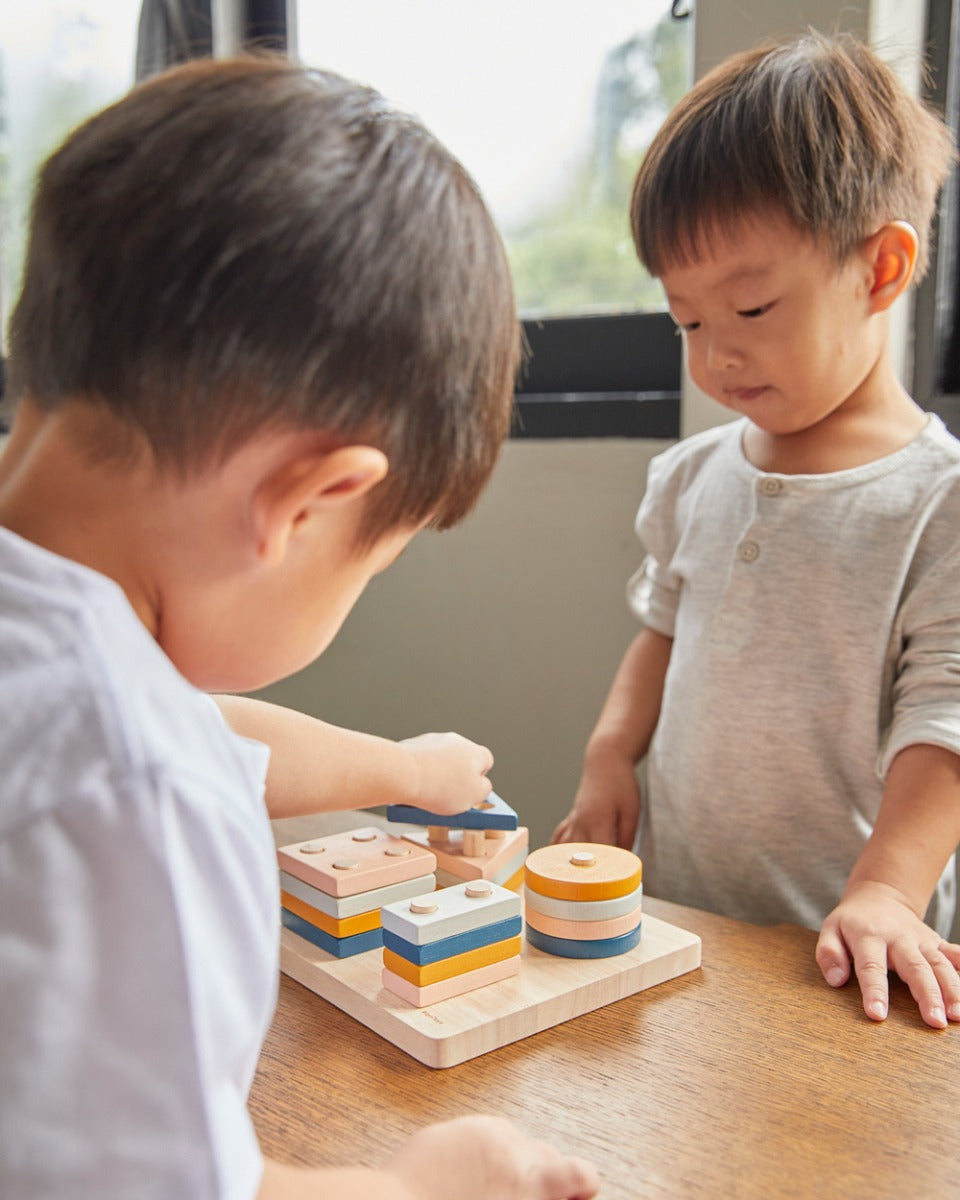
column 817, row 129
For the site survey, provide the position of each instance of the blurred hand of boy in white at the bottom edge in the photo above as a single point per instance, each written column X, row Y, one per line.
column 476, row 1159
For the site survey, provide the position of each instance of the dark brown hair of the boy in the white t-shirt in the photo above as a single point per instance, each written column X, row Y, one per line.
column 249, row 245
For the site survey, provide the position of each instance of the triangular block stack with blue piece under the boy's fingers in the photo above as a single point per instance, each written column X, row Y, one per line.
column 484, row 843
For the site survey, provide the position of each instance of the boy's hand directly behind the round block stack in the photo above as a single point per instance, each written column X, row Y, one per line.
column 607, row 807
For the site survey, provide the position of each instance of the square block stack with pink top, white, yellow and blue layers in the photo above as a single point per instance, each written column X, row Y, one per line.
column 333, row 889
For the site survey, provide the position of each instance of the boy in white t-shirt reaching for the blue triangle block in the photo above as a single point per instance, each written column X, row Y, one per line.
column 267, row 333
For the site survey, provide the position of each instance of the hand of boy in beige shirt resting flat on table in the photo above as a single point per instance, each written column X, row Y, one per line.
column 874, row 927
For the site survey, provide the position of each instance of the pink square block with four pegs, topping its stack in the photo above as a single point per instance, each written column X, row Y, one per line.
column 346, row 865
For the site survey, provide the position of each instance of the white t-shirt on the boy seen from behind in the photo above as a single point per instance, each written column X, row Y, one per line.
column 139, row 907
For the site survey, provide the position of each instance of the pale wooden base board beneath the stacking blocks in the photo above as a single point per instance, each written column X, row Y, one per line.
column 548, row 992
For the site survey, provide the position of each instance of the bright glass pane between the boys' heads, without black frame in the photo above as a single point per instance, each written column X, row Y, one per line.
column 548, row 111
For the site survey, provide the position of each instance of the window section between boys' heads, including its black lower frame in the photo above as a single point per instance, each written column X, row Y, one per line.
column 550, row 113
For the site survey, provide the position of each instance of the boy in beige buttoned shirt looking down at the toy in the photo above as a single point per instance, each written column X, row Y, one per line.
column 796, row 688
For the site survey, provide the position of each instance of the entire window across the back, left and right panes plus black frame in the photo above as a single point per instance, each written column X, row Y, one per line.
column 548, row 111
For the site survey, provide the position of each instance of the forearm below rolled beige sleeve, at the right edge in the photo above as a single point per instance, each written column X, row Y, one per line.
column 917, row 827
